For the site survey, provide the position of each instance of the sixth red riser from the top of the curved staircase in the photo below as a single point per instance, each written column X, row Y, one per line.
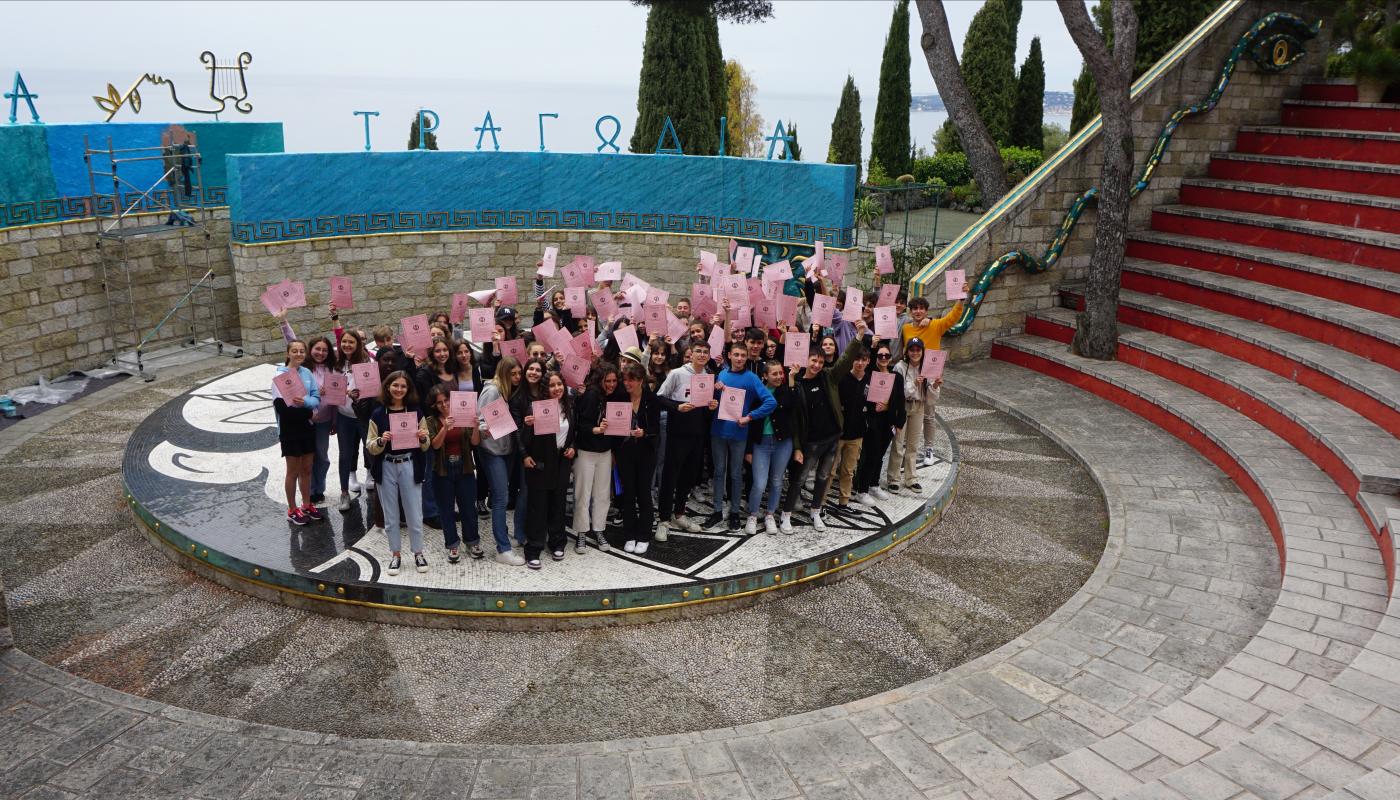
column 1347, row 246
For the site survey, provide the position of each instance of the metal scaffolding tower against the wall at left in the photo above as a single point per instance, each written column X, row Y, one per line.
column 171, row 207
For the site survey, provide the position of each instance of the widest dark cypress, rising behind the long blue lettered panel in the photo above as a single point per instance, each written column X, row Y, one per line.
column 677, row 75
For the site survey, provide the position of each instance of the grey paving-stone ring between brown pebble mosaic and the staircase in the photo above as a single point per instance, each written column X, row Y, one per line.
column 1188, row 579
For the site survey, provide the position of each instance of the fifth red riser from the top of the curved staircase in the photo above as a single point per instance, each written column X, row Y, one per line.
column 1368, row 212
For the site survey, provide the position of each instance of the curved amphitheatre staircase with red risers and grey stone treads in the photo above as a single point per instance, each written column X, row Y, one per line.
column 1261, row 324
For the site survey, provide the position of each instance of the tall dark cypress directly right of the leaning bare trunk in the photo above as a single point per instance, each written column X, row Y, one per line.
column 990, row 69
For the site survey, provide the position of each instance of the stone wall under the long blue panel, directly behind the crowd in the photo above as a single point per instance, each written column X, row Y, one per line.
column 401, row 275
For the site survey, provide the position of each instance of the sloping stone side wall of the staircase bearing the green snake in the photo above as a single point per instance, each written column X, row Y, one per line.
column 1254, row 97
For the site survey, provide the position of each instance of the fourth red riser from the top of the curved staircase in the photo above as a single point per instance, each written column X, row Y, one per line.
column 1356, row 177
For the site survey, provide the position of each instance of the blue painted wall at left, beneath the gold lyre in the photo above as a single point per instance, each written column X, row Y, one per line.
column 44, row 179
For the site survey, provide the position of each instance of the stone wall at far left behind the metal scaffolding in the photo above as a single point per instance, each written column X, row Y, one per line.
column 54, row 309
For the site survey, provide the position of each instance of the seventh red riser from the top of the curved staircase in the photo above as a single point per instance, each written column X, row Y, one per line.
column 1266, row 268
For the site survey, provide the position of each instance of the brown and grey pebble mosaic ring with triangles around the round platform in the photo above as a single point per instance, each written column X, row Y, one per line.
column 90, row 595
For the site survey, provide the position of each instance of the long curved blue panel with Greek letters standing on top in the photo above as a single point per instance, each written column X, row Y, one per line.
column 295, row 197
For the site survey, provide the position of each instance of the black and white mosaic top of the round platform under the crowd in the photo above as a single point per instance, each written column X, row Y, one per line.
column 209, row 466
